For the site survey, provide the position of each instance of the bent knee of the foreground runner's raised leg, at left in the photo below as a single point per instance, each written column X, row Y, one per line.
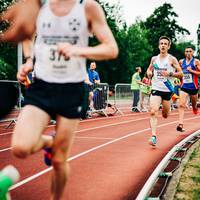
column 21, row 151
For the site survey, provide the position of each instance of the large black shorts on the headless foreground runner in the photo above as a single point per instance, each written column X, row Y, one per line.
column 69, row 100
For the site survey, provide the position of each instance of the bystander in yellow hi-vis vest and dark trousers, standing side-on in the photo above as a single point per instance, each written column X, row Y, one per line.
column 135, row 86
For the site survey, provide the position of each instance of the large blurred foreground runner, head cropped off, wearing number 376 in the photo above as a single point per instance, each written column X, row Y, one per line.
column 61, row 49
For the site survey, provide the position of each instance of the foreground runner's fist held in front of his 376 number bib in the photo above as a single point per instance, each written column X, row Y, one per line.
column 68, row 50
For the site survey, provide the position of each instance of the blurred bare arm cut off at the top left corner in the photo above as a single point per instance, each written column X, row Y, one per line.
column 22, row 18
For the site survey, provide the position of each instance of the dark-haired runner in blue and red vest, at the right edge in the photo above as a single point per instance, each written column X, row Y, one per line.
column 189, row 86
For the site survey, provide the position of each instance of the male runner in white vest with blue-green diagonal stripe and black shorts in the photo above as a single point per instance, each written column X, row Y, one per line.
column 162, row 69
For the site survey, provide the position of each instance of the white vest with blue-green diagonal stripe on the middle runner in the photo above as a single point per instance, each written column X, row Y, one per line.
column 159, row 82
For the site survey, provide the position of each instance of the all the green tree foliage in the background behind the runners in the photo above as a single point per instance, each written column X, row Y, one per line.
column 137, row 43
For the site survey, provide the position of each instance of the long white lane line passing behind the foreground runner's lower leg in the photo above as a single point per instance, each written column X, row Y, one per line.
column 89, row 151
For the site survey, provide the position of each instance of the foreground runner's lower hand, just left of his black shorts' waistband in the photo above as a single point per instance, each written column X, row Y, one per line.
column 23, row 72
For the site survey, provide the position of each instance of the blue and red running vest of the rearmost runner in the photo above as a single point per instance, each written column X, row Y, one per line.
column 190, row 81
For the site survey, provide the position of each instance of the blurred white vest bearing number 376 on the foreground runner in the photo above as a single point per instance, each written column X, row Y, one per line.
column 51, row 30
